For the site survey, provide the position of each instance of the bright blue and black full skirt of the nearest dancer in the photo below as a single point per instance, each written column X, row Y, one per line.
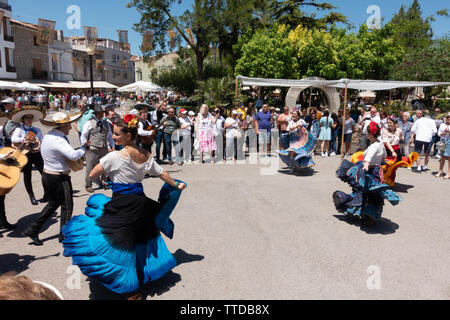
column 118, row 242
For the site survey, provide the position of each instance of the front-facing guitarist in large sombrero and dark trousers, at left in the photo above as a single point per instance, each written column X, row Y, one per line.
column 29, row 138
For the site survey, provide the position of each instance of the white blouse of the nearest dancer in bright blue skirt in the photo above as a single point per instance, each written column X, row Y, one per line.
column 124, row 170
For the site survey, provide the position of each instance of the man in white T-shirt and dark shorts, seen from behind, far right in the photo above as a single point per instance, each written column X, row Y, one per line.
column 423, row 131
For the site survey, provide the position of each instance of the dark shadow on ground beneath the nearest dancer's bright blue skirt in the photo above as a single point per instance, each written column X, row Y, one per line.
column 155, row 288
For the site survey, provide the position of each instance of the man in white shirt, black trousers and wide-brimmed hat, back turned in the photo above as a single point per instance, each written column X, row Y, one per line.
column 56, row 150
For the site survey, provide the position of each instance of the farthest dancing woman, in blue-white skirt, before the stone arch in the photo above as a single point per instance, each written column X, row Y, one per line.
column 302, row 145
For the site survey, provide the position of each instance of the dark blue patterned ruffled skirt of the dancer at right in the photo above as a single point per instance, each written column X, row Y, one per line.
column 368, row 193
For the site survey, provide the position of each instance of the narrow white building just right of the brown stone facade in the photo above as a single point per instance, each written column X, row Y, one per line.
column 60, row 59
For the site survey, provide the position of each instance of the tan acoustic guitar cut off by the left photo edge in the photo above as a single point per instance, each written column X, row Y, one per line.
column 10, row 169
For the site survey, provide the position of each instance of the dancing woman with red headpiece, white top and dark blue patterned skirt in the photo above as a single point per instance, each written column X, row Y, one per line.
column 366, row 179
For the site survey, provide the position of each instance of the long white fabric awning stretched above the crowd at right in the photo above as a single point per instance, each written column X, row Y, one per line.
column 374, row 85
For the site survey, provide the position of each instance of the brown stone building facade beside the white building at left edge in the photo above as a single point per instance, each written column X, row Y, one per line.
column 30, row 59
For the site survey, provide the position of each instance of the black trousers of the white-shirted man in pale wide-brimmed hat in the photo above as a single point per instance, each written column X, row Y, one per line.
column 60, row 194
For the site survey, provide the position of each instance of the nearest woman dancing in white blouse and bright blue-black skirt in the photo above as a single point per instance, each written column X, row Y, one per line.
column 118, row 241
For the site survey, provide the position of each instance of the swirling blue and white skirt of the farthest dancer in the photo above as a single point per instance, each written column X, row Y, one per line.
column 303, row 144
